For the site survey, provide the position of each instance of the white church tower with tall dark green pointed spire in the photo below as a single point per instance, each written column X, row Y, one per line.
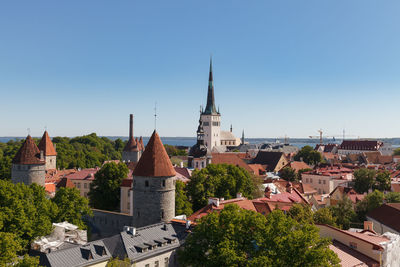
column 211, row 118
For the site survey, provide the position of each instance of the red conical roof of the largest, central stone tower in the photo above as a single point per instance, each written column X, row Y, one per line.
column 154, row 161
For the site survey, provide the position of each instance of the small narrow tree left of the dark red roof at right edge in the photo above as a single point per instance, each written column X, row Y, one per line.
column 343, row 213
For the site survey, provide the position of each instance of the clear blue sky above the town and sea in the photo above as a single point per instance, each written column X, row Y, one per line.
column 280, row 67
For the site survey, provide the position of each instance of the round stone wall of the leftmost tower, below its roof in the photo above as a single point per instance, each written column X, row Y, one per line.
column 28, row 174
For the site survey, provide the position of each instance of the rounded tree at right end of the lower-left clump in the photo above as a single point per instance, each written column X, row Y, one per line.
column 71, row 206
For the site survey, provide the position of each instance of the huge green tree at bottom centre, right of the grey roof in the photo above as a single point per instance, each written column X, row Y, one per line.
column 237, row 237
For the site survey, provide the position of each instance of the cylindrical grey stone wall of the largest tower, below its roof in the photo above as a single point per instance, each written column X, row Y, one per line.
column 153, row 200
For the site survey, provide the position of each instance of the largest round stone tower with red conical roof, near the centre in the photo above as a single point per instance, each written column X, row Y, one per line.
column 153, row 185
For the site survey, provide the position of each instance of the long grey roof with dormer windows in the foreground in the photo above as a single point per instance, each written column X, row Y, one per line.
column 148, row 242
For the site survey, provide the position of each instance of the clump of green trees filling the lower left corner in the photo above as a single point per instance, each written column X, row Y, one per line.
column 26, row 213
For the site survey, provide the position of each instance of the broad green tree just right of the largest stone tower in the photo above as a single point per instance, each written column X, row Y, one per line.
column 219, row 180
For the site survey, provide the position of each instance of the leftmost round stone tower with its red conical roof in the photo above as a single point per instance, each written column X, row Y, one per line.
column 28, row 165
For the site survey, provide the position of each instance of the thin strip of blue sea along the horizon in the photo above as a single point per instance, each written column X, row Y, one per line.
column 189, row 141
